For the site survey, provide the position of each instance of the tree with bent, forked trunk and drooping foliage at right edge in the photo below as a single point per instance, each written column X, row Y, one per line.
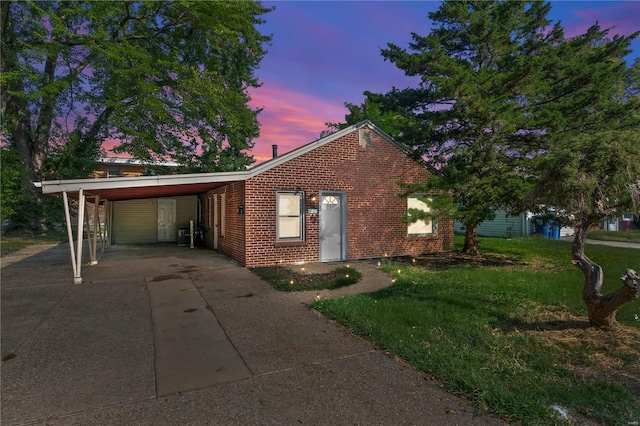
column 588, row 167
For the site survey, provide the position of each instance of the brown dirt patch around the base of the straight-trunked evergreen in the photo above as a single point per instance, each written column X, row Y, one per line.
column 454, row 259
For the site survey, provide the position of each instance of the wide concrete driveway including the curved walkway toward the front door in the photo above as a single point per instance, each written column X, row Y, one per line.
column 169, row 335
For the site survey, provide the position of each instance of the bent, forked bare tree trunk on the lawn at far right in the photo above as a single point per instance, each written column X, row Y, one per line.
column 601, row 308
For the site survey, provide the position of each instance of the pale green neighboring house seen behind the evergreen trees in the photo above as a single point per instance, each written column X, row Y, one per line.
column 505, row 225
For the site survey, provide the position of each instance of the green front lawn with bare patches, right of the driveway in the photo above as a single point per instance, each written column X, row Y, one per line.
column 509, row 330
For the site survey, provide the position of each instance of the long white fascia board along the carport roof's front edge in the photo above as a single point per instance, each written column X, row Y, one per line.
column 73, row 185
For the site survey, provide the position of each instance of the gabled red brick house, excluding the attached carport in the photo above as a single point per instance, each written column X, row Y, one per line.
column 333, row 199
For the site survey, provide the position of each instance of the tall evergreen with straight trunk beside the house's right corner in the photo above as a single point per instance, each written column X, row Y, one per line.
column 480, row 63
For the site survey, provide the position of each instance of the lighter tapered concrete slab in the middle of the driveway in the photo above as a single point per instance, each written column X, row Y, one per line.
column 192, row 349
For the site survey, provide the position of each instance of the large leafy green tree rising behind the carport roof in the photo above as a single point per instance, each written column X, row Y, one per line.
column 154, row 75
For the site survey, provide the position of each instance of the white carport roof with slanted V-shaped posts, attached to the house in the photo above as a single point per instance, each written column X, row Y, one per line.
column 97, row 193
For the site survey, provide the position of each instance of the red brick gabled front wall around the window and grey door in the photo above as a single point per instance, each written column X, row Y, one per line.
column 368, row 176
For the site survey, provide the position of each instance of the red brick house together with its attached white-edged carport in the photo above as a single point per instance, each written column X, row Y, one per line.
column 332, row 199
